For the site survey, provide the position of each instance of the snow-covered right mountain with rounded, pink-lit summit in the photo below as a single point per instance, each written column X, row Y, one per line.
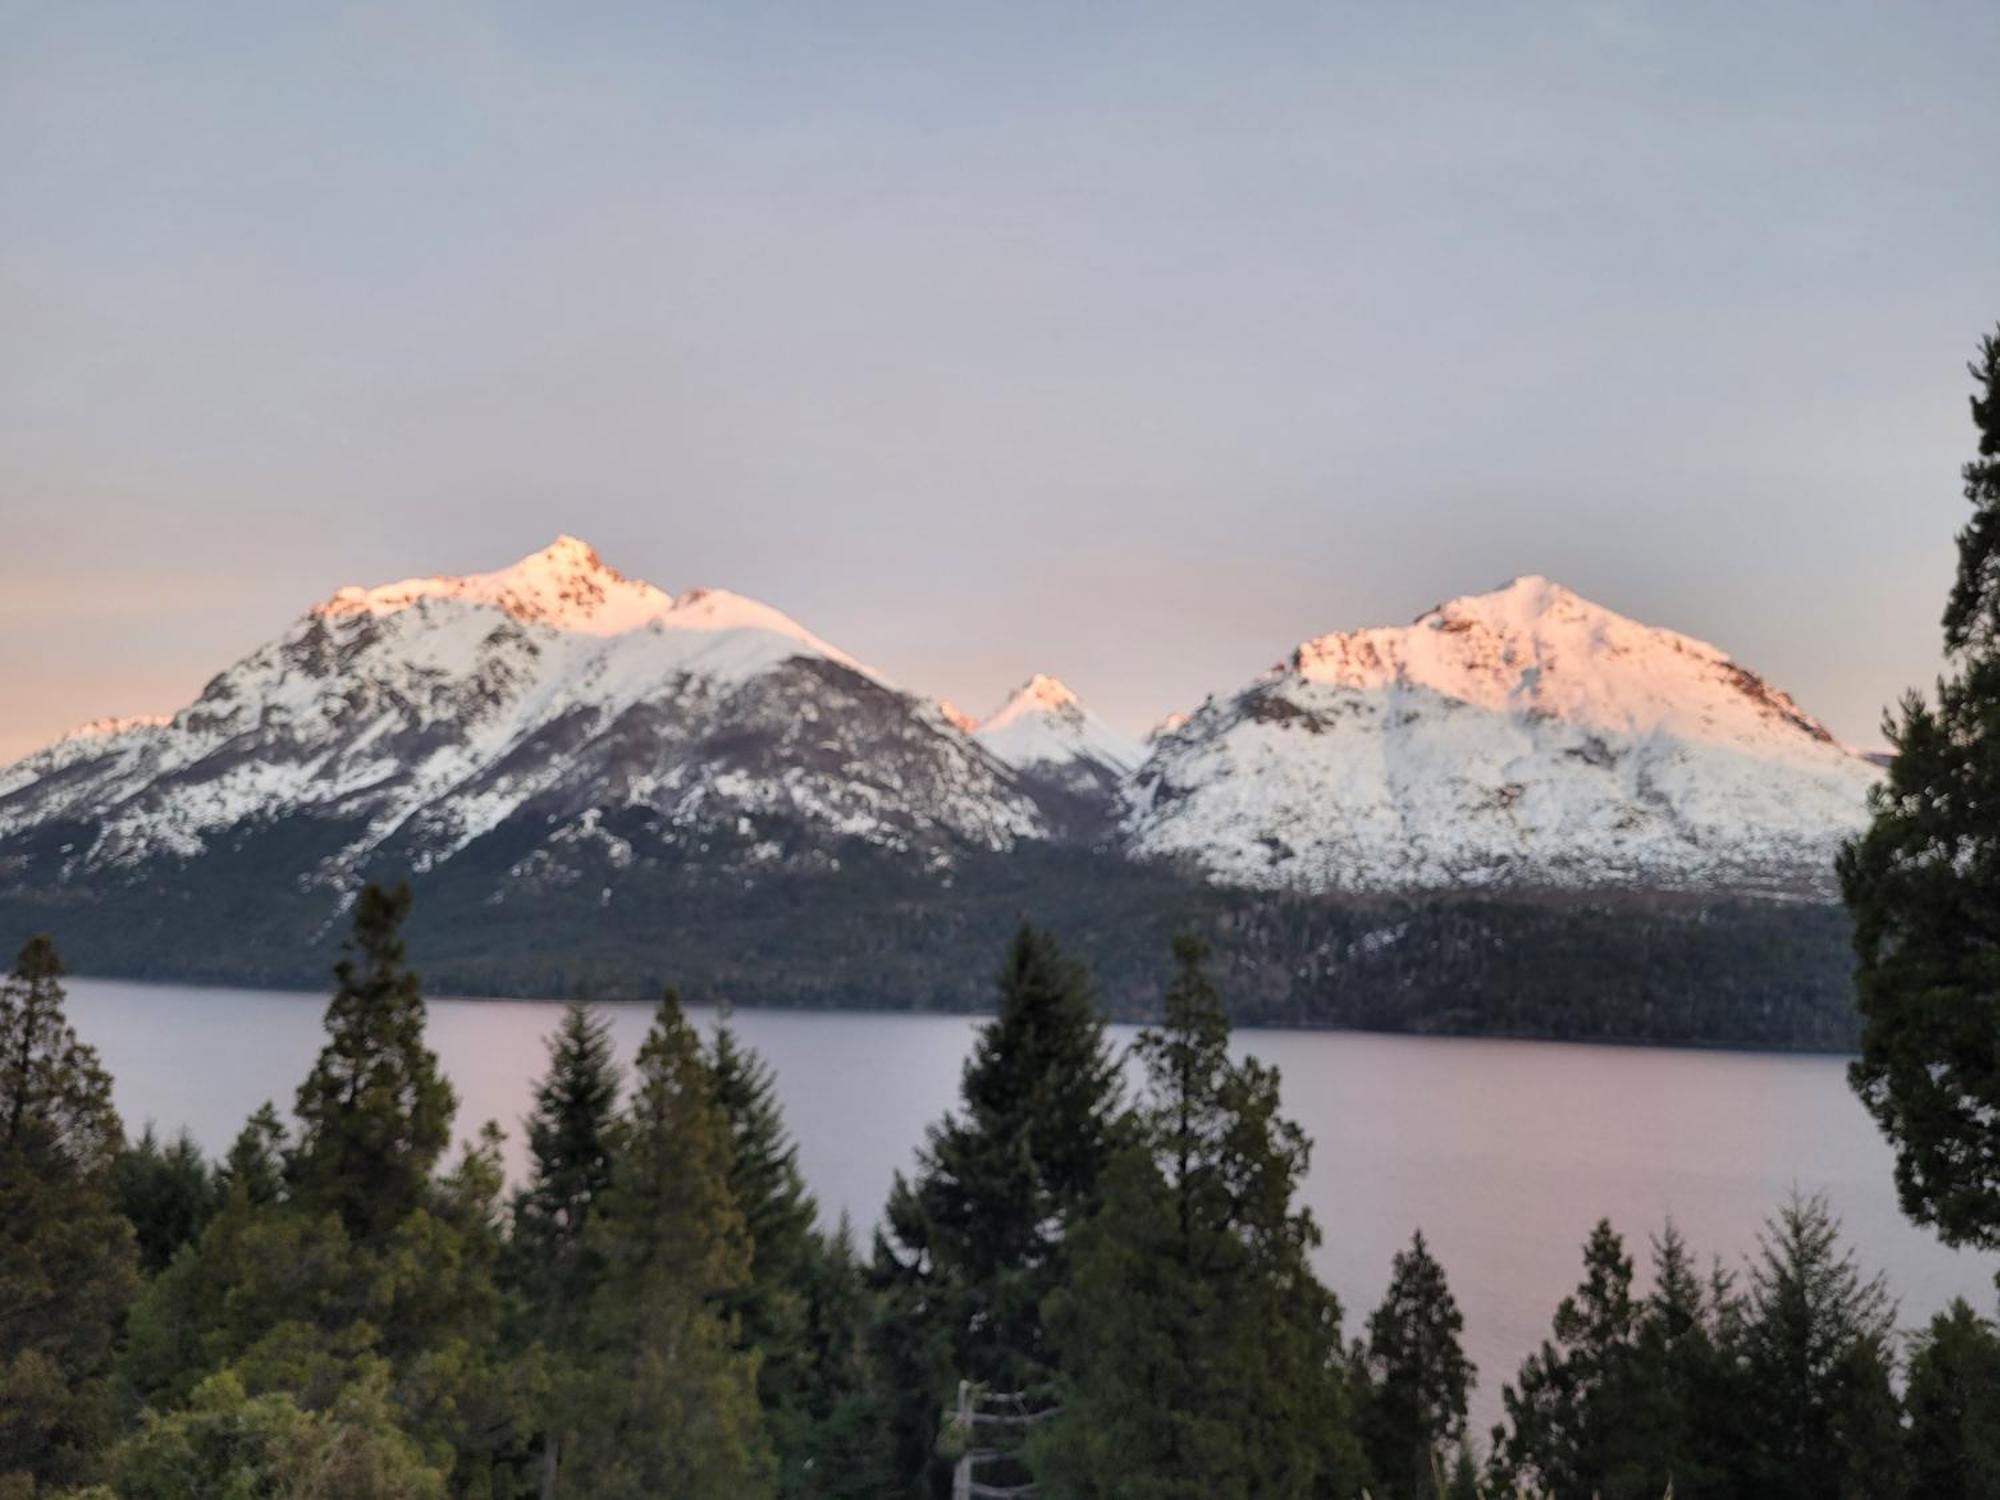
column 1523, row 737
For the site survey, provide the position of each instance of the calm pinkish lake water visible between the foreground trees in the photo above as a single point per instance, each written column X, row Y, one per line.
column 1503, row 1153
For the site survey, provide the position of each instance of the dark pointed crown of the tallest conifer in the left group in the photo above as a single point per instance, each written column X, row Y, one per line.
column 375, row 1111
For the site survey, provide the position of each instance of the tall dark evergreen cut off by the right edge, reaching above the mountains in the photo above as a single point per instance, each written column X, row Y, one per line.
column 1925, row 891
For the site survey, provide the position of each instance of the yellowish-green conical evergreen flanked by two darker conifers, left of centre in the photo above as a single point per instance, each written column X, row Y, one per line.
column 675, row 1407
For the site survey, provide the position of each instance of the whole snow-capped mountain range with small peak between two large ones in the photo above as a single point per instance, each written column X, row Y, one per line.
column 559, row 737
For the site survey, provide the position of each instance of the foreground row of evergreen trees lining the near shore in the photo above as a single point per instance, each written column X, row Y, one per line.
column 1089, row 1285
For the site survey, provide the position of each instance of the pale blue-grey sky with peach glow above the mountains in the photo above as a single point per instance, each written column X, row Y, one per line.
column 1127, row 343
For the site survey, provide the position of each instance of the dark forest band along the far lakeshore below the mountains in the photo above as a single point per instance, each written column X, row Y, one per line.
column 879, row 935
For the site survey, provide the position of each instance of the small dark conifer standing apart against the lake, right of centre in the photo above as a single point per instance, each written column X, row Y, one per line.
column 1419, row 1377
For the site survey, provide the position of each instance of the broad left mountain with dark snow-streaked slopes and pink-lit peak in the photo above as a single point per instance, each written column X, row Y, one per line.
column 569, row 713
